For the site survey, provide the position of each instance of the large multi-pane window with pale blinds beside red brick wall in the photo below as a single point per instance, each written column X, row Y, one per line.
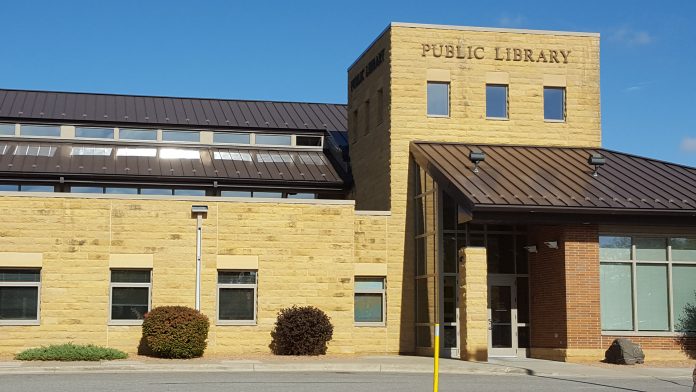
column 639, row 275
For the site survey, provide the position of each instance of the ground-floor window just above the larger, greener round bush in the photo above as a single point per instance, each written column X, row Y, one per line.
column 130, row 295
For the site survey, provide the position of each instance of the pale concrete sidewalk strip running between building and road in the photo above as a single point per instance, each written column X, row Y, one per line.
column 370, row 364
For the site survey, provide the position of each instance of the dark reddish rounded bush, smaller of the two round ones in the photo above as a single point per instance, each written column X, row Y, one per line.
column 303, row 330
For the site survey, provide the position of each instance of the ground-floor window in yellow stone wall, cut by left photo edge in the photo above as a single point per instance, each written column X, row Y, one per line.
column 19, row 296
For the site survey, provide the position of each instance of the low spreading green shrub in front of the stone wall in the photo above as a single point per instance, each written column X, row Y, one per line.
column 70, row 352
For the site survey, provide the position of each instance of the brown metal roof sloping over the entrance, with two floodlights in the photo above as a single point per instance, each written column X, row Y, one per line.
column 556, row 178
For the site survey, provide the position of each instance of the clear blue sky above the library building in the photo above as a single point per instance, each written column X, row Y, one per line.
column 299, row 51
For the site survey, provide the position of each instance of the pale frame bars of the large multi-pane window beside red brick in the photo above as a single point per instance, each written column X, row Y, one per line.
column 633, row 262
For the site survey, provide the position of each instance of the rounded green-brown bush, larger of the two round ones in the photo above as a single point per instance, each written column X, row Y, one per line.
column 175, row 332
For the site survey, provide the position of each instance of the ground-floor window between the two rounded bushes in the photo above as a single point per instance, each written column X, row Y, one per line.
column 237, row 297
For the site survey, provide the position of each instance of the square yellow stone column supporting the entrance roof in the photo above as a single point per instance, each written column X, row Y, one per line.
column 473, row 304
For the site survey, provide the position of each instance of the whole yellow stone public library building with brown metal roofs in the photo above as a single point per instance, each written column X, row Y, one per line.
column 463, row 184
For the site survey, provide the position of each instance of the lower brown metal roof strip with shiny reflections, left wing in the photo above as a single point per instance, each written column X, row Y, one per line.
column 44, row 159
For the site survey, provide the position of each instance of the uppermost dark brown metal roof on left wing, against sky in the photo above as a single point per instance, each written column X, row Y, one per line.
column 47, row 106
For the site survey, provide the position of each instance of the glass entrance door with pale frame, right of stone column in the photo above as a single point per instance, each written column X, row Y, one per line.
column 502, row 316
